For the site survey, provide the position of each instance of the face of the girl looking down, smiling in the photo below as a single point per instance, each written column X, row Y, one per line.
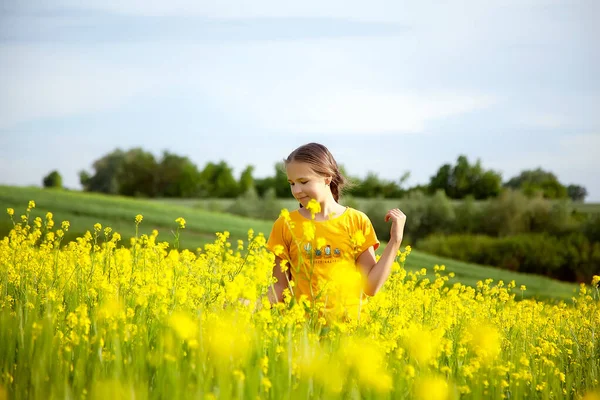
column 306, row 184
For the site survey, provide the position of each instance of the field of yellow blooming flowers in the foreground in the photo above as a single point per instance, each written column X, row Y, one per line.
column 106, row 316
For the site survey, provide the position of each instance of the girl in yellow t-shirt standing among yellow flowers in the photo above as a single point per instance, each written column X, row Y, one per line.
column 325, row 252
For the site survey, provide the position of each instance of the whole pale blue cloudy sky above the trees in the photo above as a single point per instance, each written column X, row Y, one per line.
column 388, row 86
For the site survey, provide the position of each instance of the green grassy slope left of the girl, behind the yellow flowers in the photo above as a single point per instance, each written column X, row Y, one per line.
column 83, row 210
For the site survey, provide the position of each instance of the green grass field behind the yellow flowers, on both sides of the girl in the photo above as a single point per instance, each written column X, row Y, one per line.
column 83, row 210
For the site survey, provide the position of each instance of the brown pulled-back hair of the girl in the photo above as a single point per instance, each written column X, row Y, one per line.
column 322, row 163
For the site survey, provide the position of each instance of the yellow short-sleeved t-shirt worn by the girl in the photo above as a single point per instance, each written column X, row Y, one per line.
column 321, row 255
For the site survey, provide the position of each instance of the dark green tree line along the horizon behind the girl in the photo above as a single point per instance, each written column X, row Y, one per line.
column 139, row 173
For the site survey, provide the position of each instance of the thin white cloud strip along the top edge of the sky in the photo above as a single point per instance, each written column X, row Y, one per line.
column 375, row 10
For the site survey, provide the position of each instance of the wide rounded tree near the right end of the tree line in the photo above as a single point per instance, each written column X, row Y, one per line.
column 532, row 182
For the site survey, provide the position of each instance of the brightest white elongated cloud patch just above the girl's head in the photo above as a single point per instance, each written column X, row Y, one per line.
column 350, row 112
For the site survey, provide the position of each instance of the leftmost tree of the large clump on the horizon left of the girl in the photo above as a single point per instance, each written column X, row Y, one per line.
column 106, row 170
